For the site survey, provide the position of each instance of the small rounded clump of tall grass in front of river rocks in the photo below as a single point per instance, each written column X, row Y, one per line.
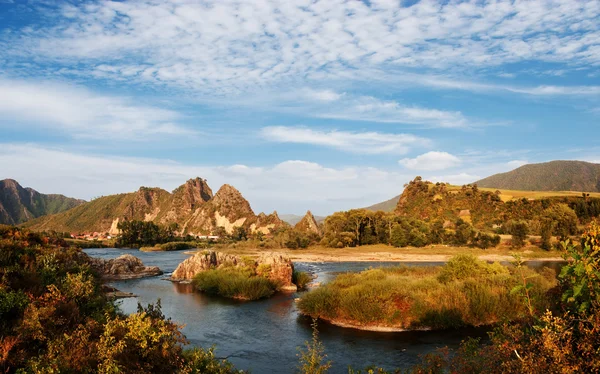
column 234, row 283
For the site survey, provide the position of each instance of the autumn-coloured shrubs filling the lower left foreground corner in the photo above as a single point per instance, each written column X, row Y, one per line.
column 55, row 318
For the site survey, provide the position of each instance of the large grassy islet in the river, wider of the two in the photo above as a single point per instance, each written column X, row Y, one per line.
column 465, row 292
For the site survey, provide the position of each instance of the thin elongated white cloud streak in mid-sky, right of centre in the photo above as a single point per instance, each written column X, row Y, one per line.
column 356, row 142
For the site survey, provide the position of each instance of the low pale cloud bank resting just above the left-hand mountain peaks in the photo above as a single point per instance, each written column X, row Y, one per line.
column 289, row 187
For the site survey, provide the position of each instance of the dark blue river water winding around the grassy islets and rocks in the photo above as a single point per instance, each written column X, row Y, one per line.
column 264, row 336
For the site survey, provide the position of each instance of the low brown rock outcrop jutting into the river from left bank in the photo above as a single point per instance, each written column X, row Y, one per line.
column 123, row 267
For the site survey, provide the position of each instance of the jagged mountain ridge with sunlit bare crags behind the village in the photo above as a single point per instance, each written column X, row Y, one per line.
column 192, row 206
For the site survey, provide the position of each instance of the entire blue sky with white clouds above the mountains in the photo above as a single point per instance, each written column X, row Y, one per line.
column 299, row 104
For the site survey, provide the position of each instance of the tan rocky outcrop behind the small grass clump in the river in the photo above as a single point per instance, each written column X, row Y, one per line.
column 279, row 268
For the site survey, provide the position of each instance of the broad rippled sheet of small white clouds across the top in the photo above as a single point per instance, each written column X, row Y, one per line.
column 222, row 46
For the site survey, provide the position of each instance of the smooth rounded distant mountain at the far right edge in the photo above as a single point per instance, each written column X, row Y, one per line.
column 548, row 176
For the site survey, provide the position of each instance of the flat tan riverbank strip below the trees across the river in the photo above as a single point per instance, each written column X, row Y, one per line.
column 384, row 253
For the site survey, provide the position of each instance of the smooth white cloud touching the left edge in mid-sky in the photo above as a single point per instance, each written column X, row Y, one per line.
column 81, row 113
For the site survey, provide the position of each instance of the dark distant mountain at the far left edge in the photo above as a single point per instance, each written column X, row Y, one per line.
column 18, row 204
